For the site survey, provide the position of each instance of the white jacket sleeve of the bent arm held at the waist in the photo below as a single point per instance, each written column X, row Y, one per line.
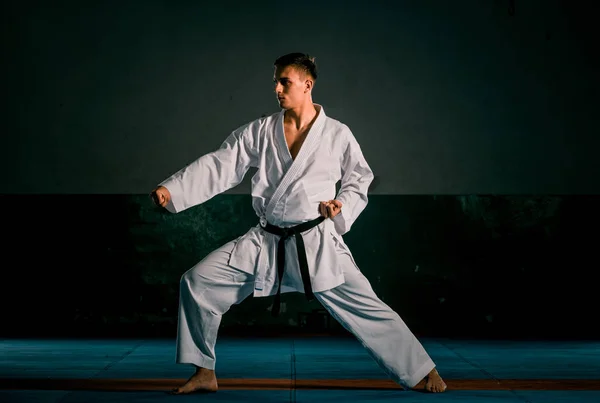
column 356, row 178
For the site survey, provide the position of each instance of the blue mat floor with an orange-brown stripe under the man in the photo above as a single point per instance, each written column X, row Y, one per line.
column 302, row 369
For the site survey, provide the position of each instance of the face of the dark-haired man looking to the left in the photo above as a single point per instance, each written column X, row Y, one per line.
column 292, row 87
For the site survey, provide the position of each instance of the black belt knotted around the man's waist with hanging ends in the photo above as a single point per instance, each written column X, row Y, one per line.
column 286, row 233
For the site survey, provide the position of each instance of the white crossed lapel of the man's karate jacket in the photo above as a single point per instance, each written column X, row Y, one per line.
column 308, row 147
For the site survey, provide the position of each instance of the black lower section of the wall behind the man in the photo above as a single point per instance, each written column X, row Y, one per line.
column 473, row 265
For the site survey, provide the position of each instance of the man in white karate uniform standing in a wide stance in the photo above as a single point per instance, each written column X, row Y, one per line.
column 297, row 245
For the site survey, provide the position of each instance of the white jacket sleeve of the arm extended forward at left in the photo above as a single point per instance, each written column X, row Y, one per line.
column 215, row 172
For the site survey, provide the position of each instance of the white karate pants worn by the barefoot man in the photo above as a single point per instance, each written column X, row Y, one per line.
column 211, row 287
